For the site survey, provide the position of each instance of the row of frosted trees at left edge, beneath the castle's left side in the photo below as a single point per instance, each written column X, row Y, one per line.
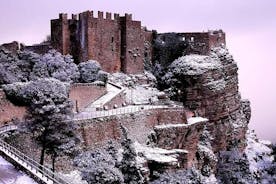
column 24, row 66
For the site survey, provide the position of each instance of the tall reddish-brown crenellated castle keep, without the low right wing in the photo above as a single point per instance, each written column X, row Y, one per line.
column 116, row 43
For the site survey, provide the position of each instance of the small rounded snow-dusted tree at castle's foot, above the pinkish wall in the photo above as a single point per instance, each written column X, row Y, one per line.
column 90, row 71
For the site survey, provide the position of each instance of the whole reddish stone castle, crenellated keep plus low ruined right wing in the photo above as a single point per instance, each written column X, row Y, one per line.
column 118, row 43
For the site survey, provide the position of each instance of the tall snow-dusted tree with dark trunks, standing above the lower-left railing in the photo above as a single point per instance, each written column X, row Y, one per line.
column 49, row 116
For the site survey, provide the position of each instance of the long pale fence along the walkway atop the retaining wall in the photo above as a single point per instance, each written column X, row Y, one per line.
column 119, row 111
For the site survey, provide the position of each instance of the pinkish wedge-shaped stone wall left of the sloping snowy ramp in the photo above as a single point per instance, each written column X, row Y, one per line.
column 84, row 94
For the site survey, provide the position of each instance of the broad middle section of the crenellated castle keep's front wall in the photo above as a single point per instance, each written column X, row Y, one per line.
column 101, row 39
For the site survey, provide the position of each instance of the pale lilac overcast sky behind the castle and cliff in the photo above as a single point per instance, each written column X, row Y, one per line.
column 250, row 27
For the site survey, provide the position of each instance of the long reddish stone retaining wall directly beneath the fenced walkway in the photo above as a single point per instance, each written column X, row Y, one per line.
column 97, row 132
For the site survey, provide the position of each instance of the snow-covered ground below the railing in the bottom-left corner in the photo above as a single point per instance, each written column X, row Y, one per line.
column 9, row 175
